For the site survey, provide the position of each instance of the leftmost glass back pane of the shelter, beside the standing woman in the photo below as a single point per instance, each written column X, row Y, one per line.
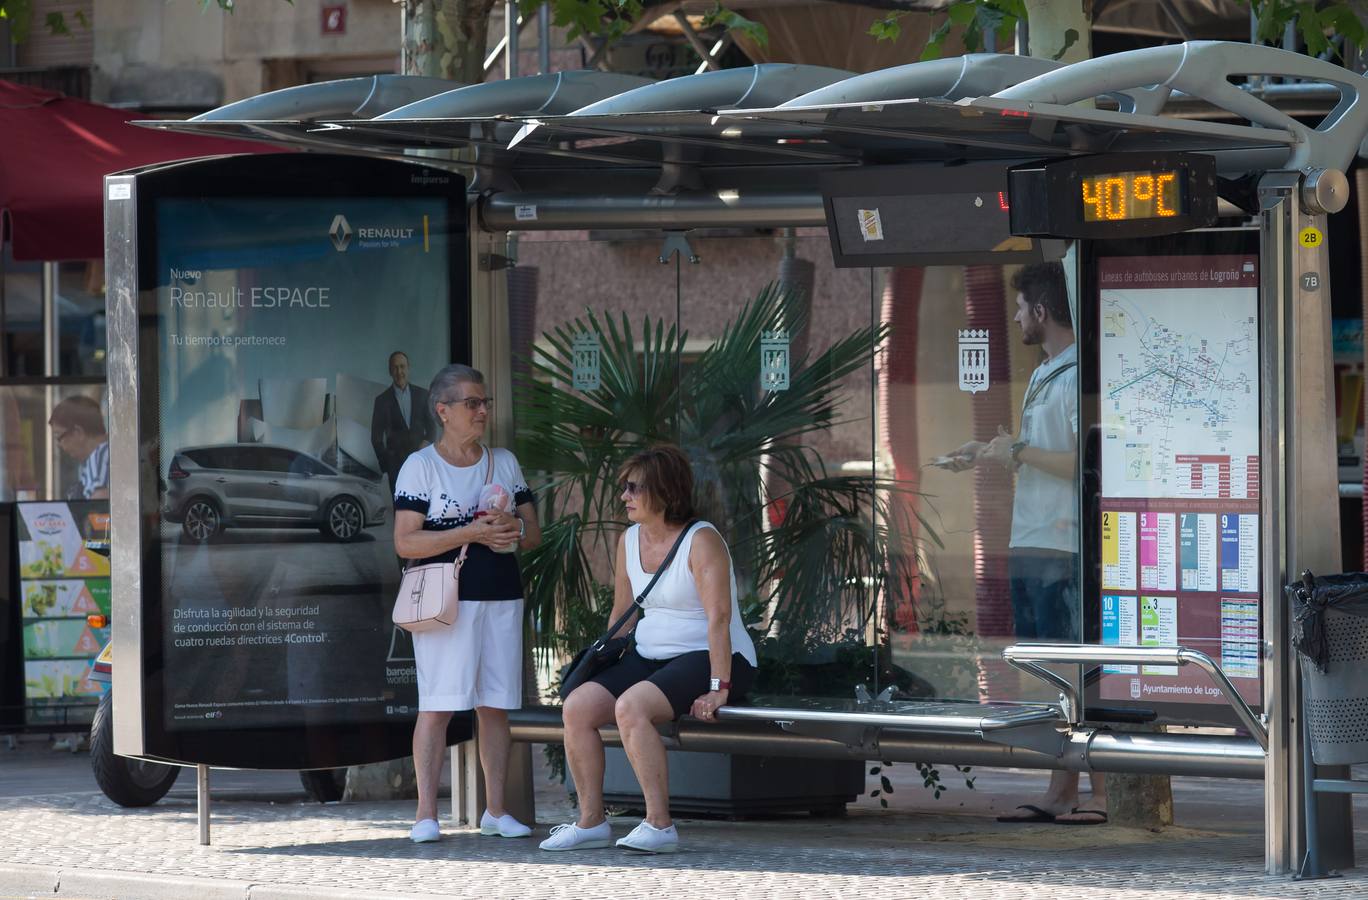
column 594, row 325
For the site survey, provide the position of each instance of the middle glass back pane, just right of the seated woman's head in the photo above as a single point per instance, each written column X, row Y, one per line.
column 782, row 427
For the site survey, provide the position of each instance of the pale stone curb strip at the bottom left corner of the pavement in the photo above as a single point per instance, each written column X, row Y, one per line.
column 55, row 882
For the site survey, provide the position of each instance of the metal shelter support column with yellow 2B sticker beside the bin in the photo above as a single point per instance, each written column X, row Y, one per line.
column 1300, row 484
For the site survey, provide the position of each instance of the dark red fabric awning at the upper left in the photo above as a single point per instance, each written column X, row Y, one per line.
column 54, row 157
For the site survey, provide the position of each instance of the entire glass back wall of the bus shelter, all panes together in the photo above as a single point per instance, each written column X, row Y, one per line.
column 863, row 557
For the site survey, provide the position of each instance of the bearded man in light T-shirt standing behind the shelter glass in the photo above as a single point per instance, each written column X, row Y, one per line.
column 1043, row 552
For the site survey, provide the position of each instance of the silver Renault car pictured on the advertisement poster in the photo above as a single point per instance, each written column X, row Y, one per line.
column 262, row 486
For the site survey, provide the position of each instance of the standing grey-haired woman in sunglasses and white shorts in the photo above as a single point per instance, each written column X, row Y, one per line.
column 478, row 661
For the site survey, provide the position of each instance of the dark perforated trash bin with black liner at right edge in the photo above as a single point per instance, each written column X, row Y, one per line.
column 1330, row 633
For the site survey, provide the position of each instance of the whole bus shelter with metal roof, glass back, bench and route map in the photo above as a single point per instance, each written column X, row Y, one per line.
column 826, row 412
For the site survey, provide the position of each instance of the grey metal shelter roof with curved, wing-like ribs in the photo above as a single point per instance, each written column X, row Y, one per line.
column 776, row 124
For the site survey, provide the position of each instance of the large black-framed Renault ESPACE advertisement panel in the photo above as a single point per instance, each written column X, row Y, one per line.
column 300, row 308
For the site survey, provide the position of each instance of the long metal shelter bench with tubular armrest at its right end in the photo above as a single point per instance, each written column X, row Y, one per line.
column 1001, row 735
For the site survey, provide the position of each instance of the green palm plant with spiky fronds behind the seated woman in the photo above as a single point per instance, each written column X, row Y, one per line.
column 813, row 545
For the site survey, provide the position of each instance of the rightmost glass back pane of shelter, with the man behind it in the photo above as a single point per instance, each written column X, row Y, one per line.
column 984, row 546
